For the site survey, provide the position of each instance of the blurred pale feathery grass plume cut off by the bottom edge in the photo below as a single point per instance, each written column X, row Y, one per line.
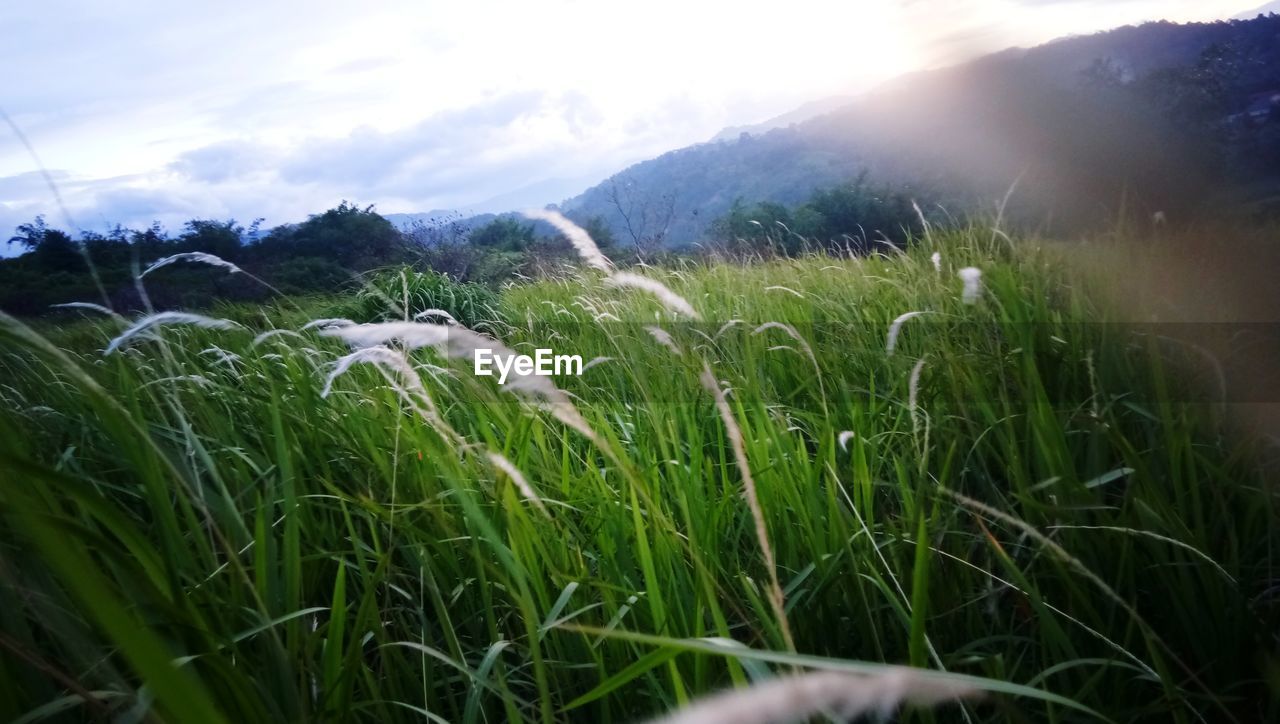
column 830, row 695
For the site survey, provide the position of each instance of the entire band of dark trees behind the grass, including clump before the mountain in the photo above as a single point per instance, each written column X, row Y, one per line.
column 333, row 251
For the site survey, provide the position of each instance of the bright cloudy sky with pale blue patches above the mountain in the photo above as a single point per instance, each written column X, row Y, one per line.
column 157, row 111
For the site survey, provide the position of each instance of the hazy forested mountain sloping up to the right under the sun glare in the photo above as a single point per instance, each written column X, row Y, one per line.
column 1136, row 116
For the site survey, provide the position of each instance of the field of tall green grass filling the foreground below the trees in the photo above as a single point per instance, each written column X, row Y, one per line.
column 1020, row 500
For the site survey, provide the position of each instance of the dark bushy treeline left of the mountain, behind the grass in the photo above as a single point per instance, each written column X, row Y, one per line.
column 330, row 253
